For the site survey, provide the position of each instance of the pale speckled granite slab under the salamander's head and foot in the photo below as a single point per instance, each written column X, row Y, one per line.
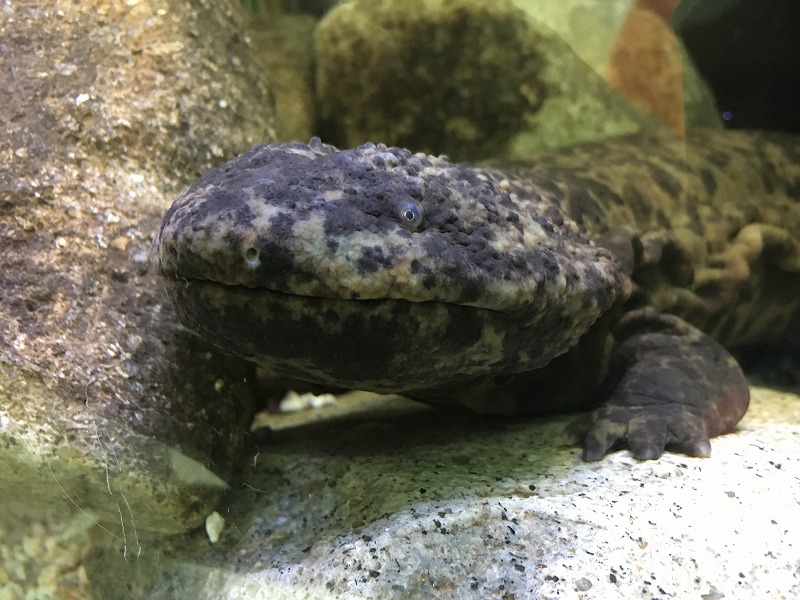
column 420, row 506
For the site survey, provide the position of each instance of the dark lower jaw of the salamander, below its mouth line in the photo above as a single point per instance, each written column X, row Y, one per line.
column 377, row 345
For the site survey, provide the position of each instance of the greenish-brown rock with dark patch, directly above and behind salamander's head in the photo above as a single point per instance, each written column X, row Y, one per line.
column 470, row 78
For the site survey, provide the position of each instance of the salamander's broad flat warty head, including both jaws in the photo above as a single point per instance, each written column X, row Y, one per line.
column 292, row 242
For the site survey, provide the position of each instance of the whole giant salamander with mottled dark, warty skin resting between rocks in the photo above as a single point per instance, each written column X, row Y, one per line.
column 379, row 269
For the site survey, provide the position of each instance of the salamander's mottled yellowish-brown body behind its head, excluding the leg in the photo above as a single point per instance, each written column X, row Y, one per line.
column 714, row 223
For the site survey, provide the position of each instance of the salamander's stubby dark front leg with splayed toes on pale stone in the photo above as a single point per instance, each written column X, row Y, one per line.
column 669, row 385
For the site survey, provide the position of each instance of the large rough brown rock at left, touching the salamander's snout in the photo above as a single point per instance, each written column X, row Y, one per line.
column 109, row 108
